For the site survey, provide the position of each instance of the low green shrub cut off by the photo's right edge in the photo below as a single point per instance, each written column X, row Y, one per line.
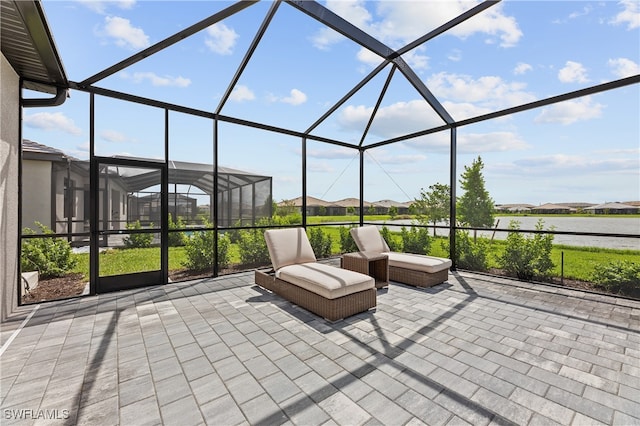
column 621, row 277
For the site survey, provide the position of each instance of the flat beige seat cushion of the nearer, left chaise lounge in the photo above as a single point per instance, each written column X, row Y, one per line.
column 326, row 280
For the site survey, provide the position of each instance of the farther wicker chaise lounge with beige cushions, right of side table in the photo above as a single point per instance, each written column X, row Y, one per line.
column 413, row 269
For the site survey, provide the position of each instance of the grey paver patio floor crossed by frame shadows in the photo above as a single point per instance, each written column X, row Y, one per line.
column 476, row 350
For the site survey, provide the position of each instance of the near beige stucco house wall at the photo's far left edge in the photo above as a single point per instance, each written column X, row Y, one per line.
column 9, row 143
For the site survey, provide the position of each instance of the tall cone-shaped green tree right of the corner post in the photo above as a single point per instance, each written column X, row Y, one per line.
column 475, row 208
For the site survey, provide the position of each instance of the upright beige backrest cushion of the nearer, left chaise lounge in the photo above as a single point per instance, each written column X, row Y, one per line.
column 288, row 247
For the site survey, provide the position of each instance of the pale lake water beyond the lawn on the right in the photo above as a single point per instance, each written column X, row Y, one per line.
column 606, row 225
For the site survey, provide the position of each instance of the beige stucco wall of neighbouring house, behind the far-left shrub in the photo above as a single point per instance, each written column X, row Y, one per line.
column 36, row 193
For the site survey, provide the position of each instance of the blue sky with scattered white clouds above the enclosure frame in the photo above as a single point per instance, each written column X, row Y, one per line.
column 584, row 150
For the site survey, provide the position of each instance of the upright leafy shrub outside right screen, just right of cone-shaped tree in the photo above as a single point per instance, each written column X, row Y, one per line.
column 527, row 257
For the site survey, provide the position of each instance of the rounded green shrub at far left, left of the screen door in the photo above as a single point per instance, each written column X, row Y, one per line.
column 50, row 256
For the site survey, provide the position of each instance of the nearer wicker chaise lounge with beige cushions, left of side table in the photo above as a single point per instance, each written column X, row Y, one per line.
column 328, row 291
